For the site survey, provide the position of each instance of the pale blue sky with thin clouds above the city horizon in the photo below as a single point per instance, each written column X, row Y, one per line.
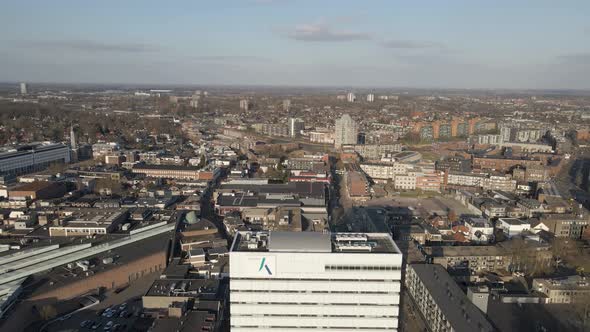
column 364, row 43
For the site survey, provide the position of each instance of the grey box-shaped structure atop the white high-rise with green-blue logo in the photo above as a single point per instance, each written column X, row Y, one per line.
column 299, row 242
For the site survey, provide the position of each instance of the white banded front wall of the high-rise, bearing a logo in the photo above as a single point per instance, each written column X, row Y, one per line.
column 307, row 291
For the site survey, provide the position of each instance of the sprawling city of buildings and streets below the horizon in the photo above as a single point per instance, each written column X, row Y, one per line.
column 171, row 208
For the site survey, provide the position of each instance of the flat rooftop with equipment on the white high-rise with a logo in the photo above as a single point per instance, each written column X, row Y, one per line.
column 268, row 241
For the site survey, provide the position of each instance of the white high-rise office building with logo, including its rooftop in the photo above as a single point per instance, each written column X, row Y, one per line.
column 306, row 281
